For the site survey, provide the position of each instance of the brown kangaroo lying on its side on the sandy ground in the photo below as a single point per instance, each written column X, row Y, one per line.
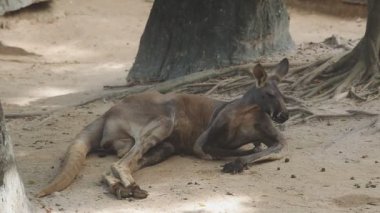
column 147, row 128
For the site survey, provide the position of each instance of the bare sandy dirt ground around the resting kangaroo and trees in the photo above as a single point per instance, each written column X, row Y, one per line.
column 71, row 49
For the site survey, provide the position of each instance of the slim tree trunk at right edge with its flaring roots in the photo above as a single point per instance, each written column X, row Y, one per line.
column 359, row 67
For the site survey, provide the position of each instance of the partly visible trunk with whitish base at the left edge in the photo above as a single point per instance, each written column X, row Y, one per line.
column 12, row 193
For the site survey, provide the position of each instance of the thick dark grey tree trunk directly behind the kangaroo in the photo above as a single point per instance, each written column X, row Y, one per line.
column 183, row 36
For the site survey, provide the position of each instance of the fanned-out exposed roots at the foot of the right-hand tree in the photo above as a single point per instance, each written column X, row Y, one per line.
column 333, row 80
